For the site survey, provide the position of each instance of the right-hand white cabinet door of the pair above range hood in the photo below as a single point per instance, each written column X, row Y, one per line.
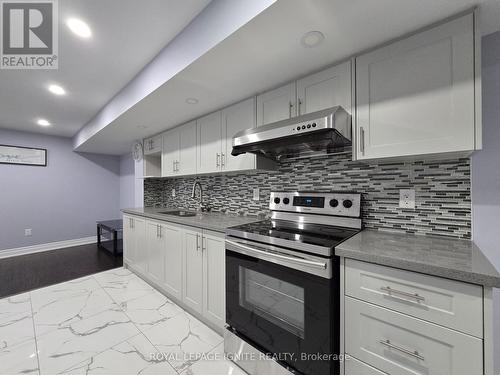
column 328, row 88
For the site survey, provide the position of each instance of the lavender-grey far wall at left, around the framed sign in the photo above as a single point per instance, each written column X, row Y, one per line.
column 59, row 202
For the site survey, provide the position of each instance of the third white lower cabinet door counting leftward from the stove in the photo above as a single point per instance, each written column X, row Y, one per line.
column 173, row 260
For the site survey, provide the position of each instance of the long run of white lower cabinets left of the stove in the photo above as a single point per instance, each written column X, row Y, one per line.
column 187, row 263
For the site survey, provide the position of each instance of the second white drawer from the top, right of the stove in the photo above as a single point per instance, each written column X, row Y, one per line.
column 398, row 344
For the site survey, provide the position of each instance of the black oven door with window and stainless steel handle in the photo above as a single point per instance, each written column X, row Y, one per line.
column 285, row 303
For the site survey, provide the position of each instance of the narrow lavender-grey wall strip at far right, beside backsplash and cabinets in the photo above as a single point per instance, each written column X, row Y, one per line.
column 486, row 170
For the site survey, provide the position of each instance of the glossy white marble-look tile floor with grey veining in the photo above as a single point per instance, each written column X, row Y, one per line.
column 108, row 323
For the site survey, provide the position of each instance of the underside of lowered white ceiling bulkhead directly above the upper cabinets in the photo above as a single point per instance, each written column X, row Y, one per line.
column 266, row 52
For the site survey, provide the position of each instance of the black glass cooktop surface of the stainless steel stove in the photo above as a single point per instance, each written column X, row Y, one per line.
column 294, row 235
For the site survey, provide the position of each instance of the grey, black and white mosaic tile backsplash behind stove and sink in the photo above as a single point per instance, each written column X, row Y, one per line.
column 443, row 204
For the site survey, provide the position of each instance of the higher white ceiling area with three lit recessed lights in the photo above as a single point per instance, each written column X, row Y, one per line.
column 127, row 34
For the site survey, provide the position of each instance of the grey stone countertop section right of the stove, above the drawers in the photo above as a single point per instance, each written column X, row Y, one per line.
column 444, row 257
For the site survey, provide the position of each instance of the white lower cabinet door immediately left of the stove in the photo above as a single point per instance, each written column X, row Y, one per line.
column 214, row 273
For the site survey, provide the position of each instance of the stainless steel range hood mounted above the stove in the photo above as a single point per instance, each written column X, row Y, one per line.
column 327, row 131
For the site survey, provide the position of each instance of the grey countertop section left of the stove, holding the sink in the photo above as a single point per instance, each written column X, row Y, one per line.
column 214, row 221
